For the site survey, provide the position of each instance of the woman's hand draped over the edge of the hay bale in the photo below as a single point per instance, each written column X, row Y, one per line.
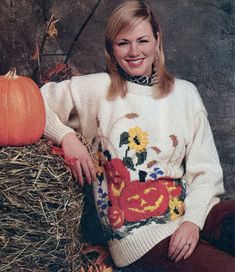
column 80, row 159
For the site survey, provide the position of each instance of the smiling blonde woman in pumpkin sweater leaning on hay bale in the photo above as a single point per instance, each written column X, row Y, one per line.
column 154, row 168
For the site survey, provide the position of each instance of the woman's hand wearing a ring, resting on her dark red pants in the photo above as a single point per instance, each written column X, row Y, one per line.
column 183, row 241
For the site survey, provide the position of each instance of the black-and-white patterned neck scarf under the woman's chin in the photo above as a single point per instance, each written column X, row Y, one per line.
column 142, row 80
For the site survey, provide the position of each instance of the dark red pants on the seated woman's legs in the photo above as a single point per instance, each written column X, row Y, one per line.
column 215, row 250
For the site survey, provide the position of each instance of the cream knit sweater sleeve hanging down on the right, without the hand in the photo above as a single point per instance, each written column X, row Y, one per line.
column 203, row 173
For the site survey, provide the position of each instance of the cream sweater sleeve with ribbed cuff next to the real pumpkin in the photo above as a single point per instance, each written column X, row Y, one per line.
column 59, row 105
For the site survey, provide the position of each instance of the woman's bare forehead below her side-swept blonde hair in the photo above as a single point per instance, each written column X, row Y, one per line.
column 142, row 28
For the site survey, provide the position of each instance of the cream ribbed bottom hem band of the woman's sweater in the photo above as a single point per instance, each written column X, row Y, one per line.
column 135, row 245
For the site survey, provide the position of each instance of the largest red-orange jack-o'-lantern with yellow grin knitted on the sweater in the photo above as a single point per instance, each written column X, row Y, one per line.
column 143, row 200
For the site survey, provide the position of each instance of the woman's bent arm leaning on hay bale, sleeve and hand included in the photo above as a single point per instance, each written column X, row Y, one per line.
column 59, row 105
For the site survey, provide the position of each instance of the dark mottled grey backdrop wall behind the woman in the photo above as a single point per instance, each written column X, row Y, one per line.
column 198, row 41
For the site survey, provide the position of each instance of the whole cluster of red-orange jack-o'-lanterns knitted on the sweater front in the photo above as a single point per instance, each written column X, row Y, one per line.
column 132, row 201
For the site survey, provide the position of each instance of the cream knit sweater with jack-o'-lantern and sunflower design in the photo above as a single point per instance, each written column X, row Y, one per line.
column 157, row 165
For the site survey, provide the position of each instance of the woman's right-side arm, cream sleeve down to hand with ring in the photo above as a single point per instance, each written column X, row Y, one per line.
column 205, row 180
